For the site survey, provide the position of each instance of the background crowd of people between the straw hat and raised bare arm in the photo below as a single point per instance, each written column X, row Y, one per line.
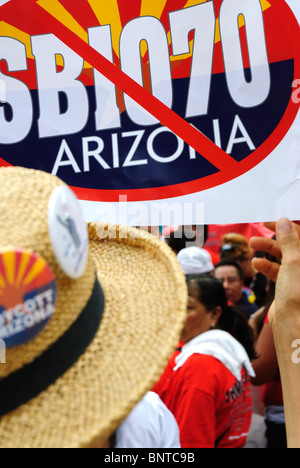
column 222, row 384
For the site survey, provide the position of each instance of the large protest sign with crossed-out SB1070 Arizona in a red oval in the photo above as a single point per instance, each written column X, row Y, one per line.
column 156, row 112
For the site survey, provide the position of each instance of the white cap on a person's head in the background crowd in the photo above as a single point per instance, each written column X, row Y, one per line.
column 195, row 261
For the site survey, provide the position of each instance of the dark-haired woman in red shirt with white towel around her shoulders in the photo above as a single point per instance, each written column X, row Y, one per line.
column 206, row 383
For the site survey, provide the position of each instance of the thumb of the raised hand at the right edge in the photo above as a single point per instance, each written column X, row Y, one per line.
column 288, row 239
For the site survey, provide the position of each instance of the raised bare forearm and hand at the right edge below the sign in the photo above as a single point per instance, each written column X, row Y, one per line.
column 284, row 315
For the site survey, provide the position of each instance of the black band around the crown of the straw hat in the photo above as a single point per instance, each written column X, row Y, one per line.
column 28, row 382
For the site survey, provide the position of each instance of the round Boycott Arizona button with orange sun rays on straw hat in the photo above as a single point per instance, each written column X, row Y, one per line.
column 27, row 295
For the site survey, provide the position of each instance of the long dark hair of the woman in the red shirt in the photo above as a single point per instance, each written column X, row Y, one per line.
column 211, row 294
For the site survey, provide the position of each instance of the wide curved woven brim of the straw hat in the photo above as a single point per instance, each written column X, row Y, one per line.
column 145, row 309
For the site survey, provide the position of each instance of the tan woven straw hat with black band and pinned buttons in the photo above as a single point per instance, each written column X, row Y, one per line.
column 68, row 381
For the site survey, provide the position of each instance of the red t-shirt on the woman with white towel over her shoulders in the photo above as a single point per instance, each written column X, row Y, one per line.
column 211, row 407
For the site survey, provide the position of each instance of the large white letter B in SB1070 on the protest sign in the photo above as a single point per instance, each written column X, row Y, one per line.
column 52, row 83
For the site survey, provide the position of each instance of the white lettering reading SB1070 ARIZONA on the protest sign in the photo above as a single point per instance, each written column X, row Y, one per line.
column 63, row 98
